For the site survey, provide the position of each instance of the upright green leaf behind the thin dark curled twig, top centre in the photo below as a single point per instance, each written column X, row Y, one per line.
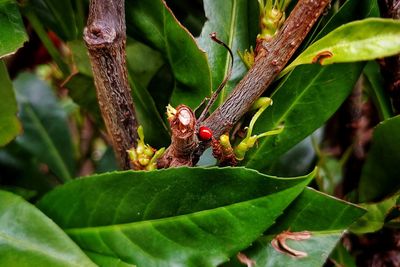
column 231, row 21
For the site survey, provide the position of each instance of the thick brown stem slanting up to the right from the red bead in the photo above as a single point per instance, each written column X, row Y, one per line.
column 271, row 59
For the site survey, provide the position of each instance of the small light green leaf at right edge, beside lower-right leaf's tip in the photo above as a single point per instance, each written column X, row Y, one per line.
column 375, row 217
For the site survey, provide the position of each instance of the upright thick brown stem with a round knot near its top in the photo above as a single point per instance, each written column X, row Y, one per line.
column 105, row 37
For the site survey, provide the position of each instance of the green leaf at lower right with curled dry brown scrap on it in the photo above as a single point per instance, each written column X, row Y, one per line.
column 326, row 219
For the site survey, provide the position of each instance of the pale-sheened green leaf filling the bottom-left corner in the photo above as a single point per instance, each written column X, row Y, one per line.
column 29, row 238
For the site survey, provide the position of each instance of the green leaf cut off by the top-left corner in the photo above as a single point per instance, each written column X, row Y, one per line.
column 12, row 30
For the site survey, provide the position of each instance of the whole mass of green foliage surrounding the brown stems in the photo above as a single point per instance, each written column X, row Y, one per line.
column 190, row 216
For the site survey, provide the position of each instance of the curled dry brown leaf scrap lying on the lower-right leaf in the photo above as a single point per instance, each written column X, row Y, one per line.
column 279, row 243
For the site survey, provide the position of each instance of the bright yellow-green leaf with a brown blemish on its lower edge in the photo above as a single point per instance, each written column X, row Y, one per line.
column 356, row 41
